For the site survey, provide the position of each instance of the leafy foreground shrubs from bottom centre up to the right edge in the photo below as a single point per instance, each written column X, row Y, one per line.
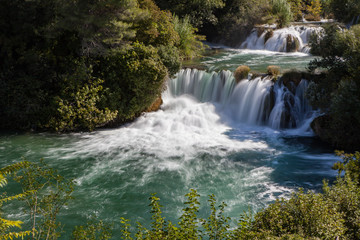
column 333, row 214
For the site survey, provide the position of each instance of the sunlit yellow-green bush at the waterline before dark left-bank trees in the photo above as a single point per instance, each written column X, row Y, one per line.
column 77, row 105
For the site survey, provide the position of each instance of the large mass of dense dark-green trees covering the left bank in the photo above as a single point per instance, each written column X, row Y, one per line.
column 77, row 65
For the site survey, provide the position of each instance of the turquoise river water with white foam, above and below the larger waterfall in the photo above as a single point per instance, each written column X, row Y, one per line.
column 187, row 144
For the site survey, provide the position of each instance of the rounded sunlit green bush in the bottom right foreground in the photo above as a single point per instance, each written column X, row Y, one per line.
column 307, row 215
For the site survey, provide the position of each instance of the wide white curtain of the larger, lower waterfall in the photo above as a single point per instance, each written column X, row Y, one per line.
column 259, row 101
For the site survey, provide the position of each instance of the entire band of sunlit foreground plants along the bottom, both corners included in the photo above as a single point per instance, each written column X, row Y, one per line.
column 332, row 214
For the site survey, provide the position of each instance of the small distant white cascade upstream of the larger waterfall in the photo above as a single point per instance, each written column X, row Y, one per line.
column 291, row 39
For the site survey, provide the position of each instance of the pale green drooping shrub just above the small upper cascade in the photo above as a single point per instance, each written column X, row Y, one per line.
column 282, row 10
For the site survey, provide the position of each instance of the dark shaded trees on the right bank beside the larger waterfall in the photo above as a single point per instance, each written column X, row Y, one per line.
column 336, row 92
